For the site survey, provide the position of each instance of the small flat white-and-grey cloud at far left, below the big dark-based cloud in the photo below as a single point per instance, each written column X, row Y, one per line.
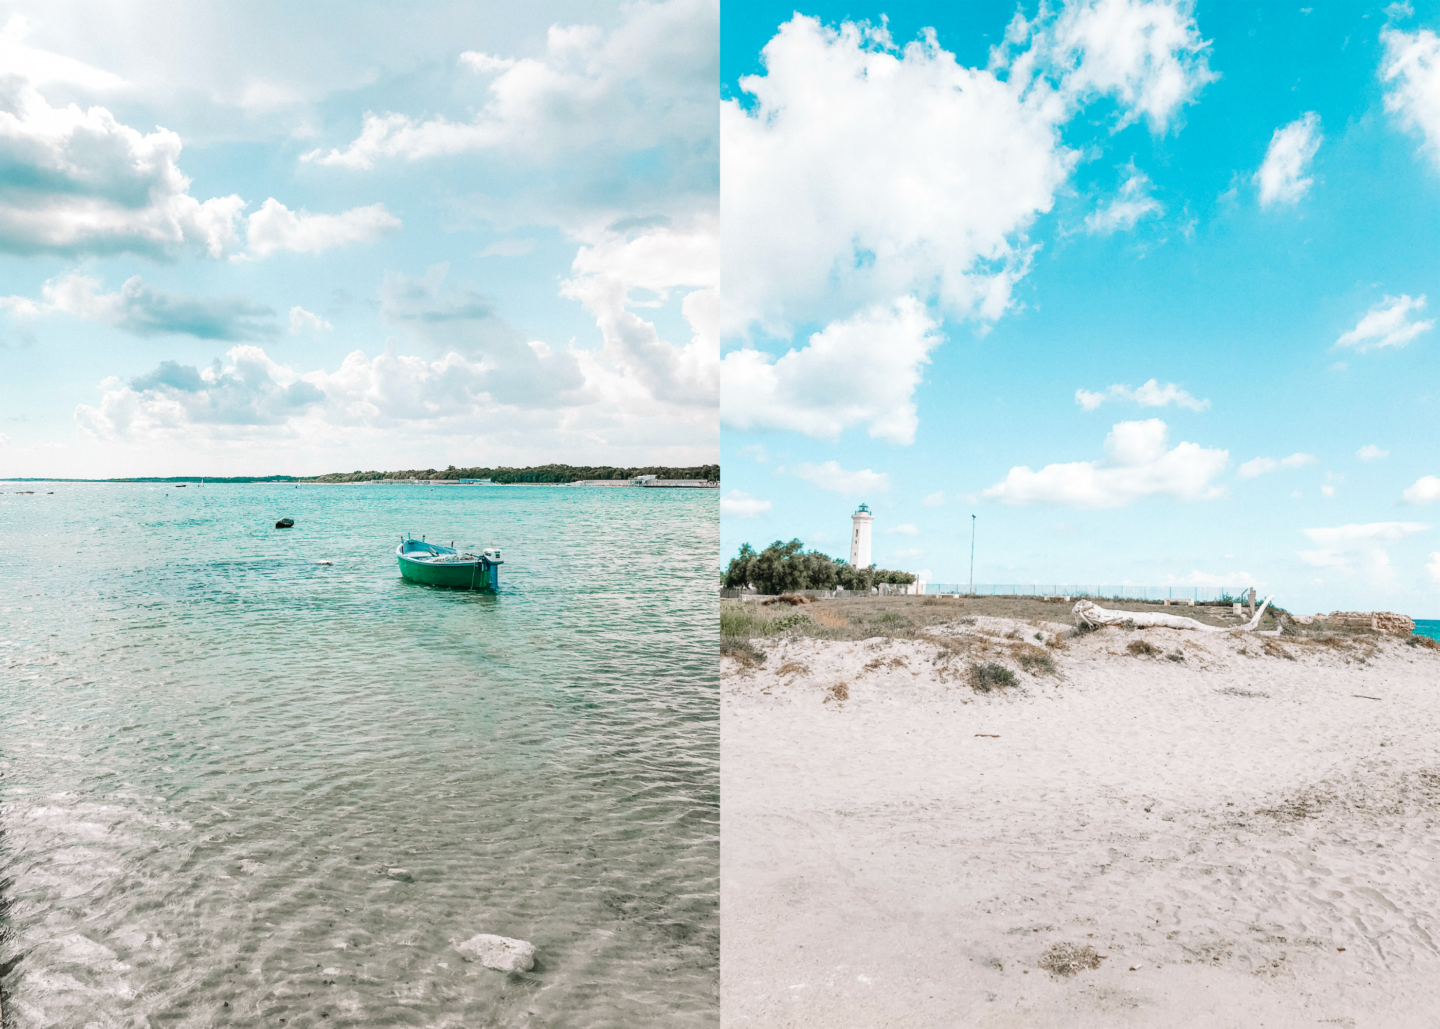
column 145, row 310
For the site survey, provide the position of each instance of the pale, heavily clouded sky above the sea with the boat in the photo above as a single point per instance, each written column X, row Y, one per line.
column 302, row 238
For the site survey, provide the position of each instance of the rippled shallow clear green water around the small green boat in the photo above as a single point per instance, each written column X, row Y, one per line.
column 215, row 749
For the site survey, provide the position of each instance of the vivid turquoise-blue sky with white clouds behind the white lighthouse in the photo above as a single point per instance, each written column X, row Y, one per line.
column 1150, row 290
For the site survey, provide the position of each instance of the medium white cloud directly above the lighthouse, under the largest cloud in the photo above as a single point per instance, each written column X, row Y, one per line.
column 862, row 371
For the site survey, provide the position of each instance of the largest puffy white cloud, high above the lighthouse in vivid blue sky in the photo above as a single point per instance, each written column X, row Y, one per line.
column 863, row 173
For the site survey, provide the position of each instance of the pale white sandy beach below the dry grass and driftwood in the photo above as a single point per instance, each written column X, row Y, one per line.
column 886, row 866
